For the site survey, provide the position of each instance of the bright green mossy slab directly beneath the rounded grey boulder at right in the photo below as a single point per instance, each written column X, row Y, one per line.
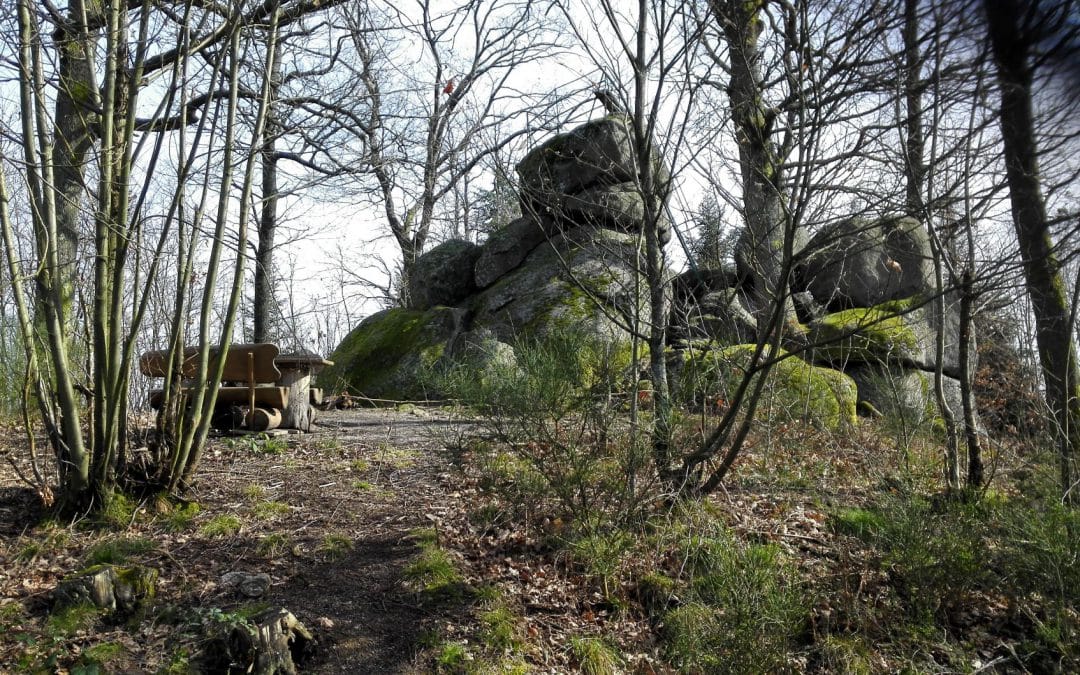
column 880, row 334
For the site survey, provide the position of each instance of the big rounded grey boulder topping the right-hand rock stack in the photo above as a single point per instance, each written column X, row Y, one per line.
column 858, row 263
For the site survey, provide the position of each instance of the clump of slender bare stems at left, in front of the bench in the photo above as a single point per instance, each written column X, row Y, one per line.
column 85, row 152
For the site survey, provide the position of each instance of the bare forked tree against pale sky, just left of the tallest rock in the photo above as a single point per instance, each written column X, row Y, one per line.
column 423, row 123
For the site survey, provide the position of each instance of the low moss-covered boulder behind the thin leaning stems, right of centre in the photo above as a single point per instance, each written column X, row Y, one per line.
column 795, row 390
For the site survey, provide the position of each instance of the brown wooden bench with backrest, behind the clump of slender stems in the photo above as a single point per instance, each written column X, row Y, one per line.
column 249, row 380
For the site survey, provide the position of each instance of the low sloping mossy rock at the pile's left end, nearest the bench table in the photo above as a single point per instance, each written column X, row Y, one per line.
column 385, row 357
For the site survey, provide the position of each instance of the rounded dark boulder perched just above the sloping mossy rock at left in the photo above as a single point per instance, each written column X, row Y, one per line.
column 443, row 276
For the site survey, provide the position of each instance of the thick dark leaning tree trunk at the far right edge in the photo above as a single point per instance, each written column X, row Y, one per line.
column 1042, row 268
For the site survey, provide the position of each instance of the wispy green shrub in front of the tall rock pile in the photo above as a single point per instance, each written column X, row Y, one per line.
column 556, row 413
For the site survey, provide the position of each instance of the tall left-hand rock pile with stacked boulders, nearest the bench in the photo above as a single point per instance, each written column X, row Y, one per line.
column 572, row 261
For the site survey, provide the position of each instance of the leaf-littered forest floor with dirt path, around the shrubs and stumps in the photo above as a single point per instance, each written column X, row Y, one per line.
column 386, row 546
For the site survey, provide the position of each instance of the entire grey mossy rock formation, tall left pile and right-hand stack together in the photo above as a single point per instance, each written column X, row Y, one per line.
column 862, row 291
